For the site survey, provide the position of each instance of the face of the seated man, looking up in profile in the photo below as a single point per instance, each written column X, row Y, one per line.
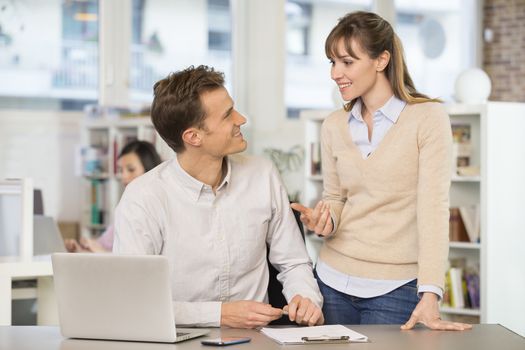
column 222, row 134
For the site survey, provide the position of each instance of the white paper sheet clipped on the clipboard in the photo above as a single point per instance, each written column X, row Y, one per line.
column 294, row 335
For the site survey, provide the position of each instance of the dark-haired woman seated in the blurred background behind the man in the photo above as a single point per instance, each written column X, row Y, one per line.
column 136, row 158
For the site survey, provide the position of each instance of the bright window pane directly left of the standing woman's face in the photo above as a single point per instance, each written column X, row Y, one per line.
column 308, row 84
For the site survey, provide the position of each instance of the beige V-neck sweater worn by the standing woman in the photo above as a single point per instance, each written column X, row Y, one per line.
column 391, row 210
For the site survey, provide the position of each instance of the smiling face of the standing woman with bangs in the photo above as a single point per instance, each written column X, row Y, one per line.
column 355, row 76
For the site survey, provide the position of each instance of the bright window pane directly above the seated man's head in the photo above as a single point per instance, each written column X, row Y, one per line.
column 172, row 35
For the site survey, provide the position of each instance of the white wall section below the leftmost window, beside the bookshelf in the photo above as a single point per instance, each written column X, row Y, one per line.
column 41, row 145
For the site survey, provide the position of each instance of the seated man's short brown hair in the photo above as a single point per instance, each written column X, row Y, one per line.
column 176, row 103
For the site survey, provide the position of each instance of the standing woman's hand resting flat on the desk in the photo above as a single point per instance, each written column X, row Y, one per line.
column 427, row 313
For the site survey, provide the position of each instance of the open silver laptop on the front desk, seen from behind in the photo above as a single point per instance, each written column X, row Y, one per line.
column 116, row 297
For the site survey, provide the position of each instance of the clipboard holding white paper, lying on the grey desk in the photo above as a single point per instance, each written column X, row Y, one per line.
column 331, row 334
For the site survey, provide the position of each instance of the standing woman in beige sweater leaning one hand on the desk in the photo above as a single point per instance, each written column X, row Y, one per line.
column 386, row 160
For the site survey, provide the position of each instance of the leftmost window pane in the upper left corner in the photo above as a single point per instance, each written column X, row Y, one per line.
column 48, row 54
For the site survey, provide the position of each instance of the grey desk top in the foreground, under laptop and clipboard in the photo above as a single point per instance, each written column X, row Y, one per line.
column 381, row 337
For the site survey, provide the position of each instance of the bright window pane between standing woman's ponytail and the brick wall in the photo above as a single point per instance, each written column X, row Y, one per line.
column 439, row 42
